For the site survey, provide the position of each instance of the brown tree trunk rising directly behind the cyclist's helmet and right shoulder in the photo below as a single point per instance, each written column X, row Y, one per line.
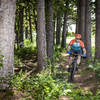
column 82, row 19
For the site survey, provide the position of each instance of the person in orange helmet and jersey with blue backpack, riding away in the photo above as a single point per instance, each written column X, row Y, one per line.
column 76, row 46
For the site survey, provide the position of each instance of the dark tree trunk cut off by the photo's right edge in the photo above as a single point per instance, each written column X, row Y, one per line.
column 97, row 36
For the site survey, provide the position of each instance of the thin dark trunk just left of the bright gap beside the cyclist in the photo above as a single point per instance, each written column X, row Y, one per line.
column 64, row 31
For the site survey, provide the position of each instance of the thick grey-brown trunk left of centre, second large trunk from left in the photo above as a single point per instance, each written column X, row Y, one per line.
column 41, row 34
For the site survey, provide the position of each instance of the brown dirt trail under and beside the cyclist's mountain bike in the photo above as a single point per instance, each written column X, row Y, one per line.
column 84, row 78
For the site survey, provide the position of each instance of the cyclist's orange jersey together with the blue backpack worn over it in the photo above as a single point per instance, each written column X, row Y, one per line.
column 76, row 46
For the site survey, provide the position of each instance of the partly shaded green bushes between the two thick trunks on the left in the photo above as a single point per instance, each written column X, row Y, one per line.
column 25, row 53
